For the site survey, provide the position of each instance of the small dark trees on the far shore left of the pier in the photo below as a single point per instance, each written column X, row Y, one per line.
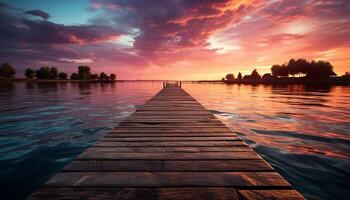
column 52, row 73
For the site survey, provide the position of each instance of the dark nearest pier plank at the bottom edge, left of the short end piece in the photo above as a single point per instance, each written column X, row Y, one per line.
column 135, row 193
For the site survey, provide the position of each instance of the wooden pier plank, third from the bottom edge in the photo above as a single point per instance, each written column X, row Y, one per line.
column 168, row 166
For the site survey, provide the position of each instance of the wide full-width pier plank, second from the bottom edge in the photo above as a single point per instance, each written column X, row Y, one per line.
column 167, row 179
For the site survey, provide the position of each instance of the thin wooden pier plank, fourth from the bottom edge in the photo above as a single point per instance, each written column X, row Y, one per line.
column 93, row 155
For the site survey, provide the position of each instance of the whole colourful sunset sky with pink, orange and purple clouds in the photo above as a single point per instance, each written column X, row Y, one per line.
column 173, row 40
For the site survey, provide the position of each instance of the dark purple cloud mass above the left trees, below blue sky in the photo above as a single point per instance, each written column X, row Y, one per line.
column 28, row 42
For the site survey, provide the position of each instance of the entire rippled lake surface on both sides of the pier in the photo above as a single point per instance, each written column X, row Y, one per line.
column 302, row 131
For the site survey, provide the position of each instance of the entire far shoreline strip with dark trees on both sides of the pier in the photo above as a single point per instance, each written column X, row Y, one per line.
column 298, row 71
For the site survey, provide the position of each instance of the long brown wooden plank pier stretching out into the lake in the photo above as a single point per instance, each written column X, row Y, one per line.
column 170, row 148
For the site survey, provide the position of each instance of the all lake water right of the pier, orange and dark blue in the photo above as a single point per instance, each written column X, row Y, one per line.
column 302, row 130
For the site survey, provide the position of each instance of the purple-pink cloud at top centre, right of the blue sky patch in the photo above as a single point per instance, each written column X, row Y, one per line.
column 173, row 25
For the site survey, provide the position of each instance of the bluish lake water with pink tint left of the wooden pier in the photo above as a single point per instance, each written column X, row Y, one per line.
column 44, row 126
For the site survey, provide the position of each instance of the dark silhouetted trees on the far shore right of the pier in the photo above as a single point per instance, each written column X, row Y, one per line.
column 300, row 67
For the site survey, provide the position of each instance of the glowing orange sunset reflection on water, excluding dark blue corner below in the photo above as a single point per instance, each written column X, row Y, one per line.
column 297, row 119
